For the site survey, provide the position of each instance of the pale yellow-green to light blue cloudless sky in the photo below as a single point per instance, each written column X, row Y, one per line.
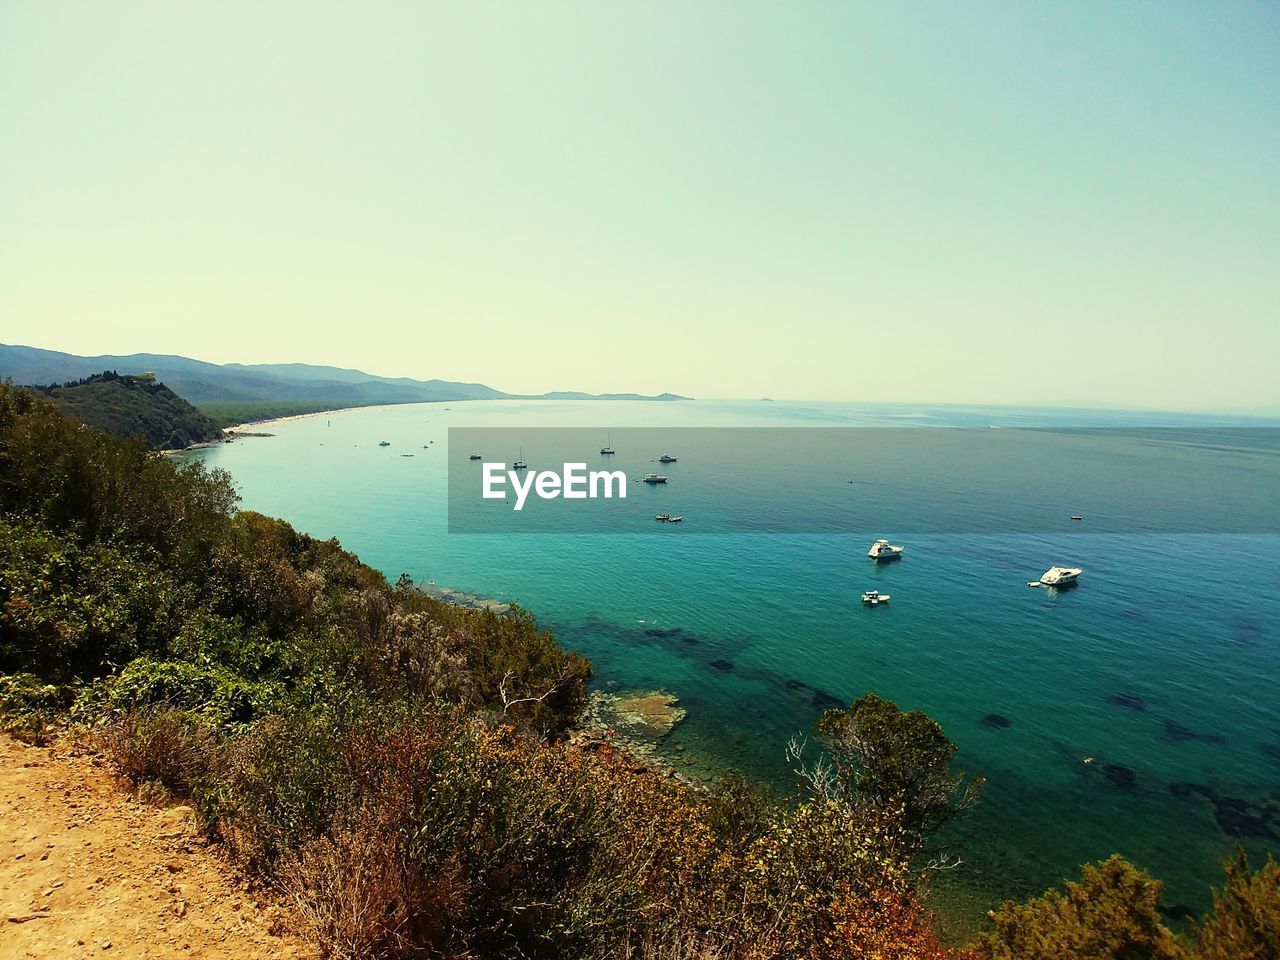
column 980, row 203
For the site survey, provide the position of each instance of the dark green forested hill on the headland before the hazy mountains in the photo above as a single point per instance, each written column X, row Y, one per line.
column 132, row 406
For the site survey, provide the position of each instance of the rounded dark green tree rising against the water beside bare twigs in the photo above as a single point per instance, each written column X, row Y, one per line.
column 899, row 765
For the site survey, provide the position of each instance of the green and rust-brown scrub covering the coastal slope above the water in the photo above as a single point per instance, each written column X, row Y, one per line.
column 401, row 769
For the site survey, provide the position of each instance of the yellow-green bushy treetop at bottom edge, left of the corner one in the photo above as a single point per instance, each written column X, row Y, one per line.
column 1113, row 913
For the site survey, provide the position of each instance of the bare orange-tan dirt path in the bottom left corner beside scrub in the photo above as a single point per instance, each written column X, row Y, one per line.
column 86, row 871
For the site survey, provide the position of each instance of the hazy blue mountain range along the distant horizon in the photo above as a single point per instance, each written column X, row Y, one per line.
column 248, row 391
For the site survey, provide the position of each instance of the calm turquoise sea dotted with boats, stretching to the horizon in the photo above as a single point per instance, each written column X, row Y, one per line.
column 1137, row 714
